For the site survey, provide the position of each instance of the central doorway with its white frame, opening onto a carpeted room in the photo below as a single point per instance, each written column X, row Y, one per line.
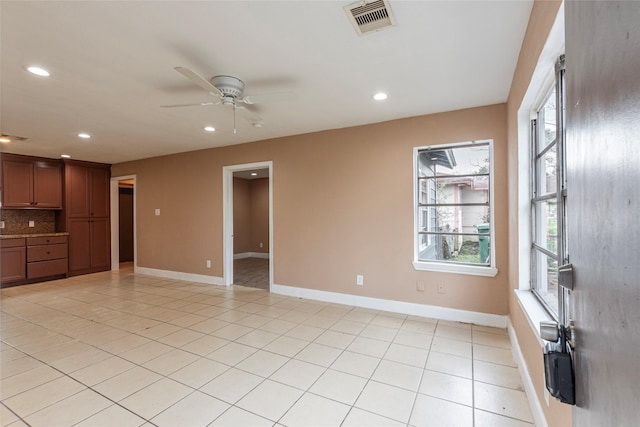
column 248, row 225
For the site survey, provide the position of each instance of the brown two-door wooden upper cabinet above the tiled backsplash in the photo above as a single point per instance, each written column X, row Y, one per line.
column 31, row 182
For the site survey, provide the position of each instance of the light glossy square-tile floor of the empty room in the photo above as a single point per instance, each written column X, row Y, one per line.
column 118, row 349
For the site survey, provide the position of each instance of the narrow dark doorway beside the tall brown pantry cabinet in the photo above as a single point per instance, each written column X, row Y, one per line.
column 123, row 223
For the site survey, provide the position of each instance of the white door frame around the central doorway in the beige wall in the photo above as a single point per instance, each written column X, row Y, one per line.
column 227, row 216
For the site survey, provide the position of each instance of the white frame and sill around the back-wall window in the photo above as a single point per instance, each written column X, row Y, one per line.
column 450, row 267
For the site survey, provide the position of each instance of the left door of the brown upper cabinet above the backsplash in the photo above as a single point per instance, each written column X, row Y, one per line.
column 17, row 184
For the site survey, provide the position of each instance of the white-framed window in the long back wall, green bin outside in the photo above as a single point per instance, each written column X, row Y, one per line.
column 453, row 223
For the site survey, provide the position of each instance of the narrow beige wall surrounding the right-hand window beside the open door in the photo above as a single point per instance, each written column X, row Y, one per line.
column 542, row 17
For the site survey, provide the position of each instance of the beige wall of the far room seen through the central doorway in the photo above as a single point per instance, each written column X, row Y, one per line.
column 250, row 215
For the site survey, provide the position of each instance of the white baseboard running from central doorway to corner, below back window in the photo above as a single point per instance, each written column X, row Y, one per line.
column 423, row 310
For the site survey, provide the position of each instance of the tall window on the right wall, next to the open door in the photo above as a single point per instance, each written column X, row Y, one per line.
column 548, row 195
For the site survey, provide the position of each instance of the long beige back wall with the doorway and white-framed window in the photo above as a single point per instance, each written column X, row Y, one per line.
column 343, row 205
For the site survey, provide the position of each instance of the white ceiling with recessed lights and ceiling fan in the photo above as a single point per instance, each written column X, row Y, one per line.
column 112, row 66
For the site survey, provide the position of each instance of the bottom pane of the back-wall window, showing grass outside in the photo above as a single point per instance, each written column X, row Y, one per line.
column 455, row 248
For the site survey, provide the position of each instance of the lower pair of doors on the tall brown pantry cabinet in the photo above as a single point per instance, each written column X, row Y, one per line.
column 89, row 245
